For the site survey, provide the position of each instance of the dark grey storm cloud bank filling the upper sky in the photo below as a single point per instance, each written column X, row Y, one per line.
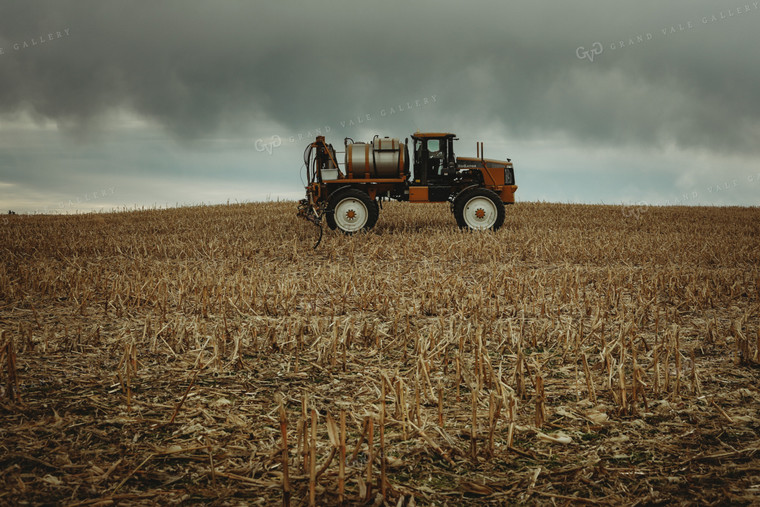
column 200, row 68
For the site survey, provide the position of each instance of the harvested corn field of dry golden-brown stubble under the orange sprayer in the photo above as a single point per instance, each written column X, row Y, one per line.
column 581, row 354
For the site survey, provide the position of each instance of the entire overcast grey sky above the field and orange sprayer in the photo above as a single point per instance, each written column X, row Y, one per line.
column 106, row 104
